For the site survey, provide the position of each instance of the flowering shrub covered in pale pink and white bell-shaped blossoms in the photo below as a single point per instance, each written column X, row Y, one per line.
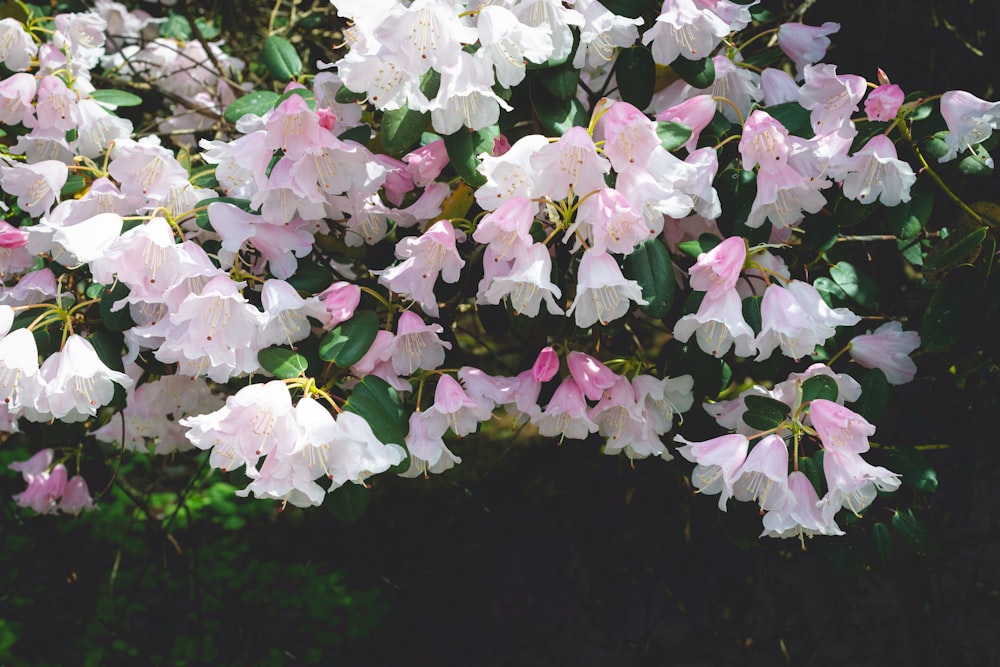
column 586, row 219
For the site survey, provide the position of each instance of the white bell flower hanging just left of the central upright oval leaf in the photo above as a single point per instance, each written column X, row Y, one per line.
column 602, row 293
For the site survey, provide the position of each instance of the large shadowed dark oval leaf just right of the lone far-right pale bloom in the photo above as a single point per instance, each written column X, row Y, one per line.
column 950, row 314
